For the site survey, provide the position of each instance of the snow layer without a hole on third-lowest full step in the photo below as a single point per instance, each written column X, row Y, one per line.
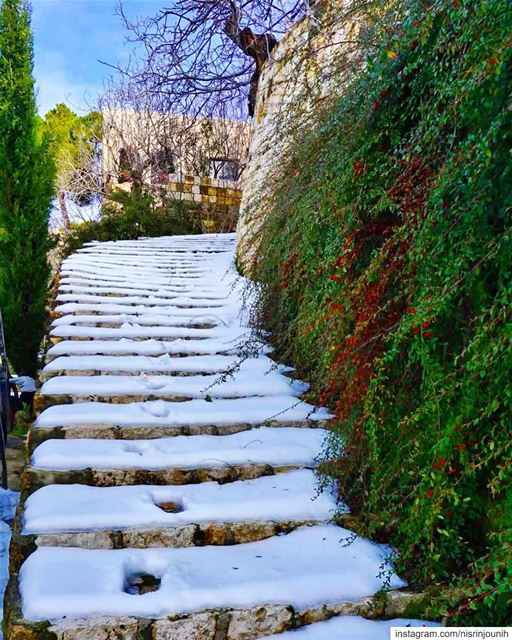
column 265, row 445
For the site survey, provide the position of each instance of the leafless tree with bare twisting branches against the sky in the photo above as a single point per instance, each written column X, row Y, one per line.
column 206, row 56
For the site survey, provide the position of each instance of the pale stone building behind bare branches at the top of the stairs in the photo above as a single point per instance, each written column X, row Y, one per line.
column 193, row 159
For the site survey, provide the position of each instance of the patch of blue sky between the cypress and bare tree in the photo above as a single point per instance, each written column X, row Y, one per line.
column 70, row 37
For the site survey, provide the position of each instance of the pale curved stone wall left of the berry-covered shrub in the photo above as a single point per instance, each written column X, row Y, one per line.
column 308, row 68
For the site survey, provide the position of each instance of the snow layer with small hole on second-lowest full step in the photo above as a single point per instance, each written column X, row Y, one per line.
column 285, row 496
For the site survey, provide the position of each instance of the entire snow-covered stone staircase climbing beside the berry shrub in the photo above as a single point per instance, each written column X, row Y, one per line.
column 169, row 491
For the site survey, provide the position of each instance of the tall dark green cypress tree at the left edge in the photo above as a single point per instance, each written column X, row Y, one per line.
column 26, row 189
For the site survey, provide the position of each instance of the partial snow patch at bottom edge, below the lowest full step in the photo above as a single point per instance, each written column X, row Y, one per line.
column 349, row 628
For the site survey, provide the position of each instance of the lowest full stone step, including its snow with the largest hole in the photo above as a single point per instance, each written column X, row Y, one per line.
column 234, row 592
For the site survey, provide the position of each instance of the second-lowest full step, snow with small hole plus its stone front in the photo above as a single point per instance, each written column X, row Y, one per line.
column 178, row 516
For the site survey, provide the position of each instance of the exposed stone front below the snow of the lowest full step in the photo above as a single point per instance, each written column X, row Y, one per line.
column 214, row 624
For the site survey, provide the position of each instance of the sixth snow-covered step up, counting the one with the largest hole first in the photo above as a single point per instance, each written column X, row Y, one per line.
column 134, row 365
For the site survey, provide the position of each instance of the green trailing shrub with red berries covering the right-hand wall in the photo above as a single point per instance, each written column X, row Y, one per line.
column 386, row 259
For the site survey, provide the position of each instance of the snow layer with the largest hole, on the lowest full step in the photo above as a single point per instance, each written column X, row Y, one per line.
column 305, row 568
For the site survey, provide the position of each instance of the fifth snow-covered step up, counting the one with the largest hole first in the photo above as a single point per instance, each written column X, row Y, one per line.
column 242, row 383
